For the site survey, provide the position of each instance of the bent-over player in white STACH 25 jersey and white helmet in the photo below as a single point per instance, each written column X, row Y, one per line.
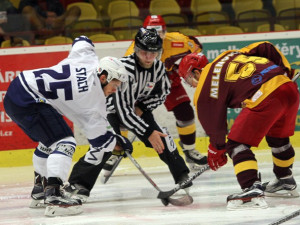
column 77, row 88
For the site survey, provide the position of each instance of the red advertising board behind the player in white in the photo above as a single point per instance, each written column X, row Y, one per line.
column 11, row 136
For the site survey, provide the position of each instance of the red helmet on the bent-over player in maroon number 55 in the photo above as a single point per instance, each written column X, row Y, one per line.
column 189, row 63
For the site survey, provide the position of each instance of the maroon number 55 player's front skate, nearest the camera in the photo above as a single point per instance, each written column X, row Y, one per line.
column 250, row 198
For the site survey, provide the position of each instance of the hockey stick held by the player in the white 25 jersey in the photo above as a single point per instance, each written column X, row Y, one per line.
column 183, row 201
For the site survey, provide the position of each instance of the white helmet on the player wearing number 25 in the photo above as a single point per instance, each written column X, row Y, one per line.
column 114, row 68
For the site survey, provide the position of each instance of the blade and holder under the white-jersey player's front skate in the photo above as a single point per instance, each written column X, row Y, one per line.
column 56, row 210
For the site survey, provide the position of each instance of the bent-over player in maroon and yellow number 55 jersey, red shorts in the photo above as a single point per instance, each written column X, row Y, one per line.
column 256, row 78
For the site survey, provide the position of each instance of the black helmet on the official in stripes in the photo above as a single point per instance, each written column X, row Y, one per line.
column 148, row 40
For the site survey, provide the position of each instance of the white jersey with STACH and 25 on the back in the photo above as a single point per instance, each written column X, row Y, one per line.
column 73, row 88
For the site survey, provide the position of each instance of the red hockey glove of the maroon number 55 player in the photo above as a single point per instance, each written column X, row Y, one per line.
column 216, row 158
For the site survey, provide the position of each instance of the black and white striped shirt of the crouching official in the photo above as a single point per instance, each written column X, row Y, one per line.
column 146, row 88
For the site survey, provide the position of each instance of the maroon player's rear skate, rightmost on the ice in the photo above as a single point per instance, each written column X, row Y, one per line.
column 281, row 187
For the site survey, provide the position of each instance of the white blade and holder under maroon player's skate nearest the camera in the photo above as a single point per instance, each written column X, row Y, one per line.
column 255, row 203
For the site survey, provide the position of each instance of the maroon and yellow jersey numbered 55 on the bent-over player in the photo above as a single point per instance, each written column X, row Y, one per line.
column 235, row 79
